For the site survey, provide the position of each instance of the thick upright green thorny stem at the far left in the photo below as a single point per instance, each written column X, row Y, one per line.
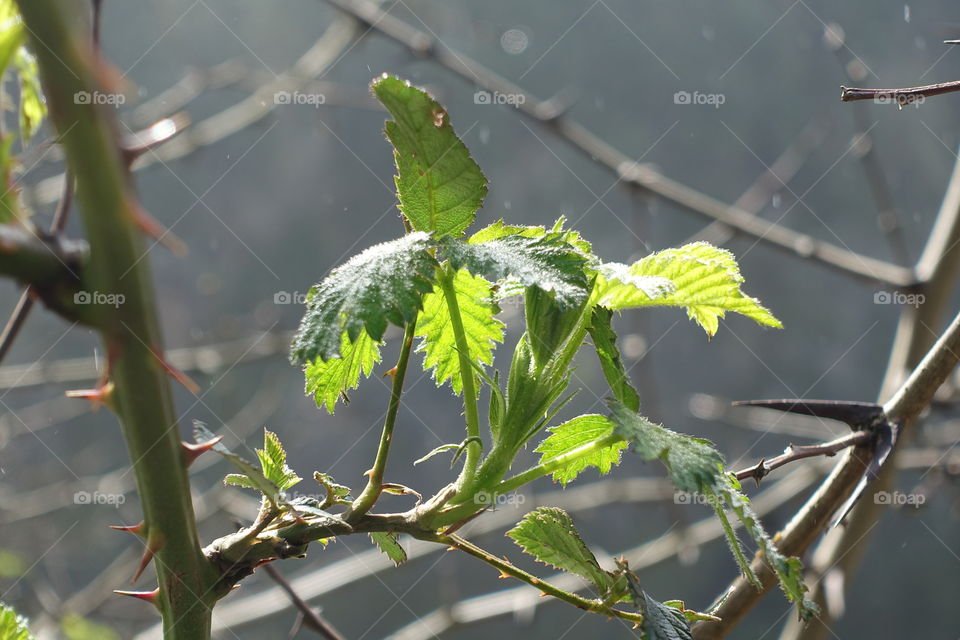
column 142, row 395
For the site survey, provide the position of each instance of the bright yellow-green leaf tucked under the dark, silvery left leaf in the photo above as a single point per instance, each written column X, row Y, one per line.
column 328, row 380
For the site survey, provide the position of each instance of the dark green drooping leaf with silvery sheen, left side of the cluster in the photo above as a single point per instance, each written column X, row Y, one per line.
column 384, row 283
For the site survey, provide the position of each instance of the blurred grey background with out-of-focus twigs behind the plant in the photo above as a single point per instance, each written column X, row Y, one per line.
column 269, row 194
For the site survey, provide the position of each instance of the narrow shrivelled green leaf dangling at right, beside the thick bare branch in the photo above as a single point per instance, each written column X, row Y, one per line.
column 789, row 570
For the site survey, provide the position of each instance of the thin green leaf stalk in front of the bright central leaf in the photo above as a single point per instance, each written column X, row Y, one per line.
column 472, row 415
